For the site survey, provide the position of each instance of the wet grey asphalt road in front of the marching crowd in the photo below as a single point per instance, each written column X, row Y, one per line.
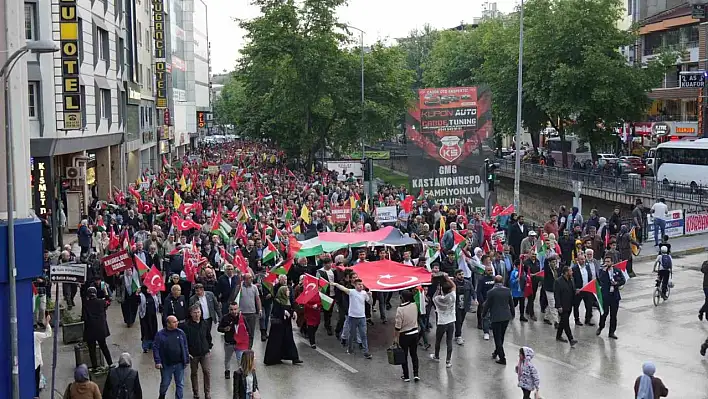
column 669, row 334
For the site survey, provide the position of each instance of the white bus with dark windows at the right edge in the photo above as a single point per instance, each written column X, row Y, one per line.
column 684, row 162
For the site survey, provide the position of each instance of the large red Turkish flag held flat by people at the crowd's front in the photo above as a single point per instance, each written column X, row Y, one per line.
column 387, row 275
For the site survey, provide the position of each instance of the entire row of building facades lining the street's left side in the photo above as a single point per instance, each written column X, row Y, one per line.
column 122, row 92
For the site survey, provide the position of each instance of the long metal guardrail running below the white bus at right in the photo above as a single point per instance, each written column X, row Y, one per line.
column 627, row 184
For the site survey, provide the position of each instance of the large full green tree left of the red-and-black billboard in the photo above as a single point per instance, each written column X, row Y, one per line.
column 302, row 85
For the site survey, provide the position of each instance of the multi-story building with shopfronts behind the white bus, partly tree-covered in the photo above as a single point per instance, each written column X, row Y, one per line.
column 669, row 25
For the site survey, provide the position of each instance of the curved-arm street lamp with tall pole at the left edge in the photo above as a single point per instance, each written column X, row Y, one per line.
column 37, row 47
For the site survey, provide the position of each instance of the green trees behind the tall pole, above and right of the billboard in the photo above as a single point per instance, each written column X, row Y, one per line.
column 574, row 78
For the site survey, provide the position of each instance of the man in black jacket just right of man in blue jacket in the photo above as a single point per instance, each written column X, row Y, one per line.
column 198, row 333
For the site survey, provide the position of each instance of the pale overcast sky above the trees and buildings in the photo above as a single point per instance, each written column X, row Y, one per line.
column 380, row 19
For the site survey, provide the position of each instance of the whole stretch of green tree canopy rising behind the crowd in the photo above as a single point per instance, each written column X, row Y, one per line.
column 298, row 81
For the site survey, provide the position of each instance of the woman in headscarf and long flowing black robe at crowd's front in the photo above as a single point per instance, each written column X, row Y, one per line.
column 281, row 345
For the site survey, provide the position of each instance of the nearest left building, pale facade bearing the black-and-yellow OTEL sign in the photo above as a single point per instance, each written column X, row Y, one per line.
column 75, row 100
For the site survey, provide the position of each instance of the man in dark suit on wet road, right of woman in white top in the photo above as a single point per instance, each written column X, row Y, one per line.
column 500, row 306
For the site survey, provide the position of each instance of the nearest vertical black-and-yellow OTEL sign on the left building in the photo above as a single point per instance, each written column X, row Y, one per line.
column 69, row 40
